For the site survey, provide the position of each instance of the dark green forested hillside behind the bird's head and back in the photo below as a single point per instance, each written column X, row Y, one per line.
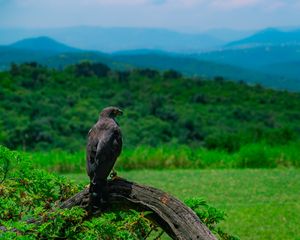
column 42, row 109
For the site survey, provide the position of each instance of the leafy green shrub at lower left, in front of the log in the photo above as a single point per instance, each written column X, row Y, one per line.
column 27, row 193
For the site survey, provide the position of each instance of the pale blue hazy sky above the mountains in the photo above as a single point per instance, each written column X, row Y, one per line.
column 180, row 15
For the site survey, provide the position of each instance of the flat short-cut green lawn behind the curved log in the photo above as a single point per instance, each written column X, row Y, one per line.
column 260, row 204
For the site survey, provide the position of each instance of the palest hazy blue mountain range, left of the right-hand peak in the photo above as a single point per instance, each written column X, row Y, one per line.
column 118, row 39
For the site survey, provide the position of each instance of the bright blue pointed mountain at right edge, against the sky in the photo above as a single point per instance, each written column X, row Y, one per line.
column 267, row 37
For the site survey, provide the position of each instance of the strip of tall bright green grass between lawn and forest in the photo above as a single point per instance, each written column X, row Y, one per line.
column 259, row 155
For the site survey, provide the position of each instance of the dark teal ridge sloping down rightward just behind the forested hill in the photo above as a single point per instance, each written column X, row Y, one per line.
column 194, row 67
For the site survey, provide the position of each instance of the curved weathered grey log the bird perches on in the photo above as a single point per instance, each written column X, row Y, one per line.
column 178, row 220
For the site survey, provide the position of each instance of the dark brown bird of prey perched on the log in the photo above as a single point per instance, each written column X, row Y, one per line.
column 103, row 148
